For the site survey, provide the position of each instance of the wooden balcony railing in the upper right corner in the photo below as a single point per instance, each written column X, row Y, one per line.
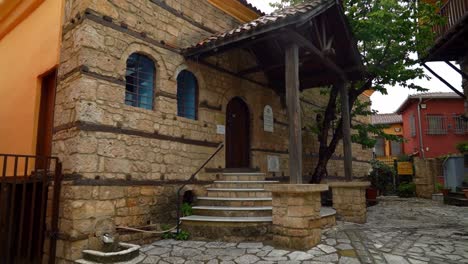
column 453, row 11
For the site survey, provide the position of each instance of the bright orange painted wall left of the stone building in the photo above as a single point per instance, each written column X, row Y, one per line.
column 28, row 50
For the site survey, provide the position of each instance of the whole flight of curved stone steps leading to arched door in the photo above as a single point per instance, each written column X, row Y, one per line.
column 236, row 208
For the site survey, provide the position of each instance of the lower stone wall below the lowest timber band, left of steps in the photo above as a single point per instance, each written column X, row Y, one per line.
column 87, row 212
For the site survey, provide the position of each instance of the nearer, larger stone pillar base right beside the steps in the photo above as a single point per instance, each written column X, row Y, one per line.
column 296, row 215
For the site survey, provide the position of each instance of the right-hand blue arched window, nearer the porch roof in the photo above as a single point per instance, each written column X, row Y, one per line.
column 187, row 95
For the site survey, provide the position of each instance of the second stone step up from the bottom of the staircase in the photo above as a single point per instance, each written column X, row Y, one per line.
column 226, row 211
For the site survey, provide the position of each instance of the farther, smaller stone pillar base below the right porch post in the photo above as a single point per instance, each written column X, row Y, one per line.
column 349, row 200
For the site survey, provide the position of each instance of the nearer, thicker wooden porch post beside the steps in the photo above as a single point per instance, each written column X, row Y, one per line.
column 294, row 113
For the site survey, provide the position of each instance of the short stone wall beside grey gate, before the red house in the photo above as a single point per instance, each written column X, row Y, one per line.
column 426, row 173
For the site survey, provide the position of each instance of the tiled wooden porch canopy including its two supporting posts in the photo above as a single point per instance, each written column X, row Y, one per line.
column 299, row 47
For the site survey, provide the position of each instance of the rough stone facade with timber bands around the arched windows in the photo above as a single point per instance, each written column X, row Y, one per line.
column 104, row 142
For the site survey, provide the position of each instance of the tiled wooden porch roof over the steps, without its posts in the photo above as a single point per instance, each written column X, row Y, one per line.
column 319, row 27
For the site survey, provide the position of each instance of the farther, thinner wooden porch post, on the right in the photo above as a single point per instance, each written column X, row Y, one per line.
column 348, row 152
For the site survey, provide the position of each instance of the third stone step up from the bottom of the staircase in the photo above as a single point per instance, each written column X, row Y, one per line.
column 234, row 202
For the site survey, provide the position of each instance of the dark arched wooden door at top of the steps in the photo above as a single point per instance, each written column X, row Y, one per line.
column 237, row 134
